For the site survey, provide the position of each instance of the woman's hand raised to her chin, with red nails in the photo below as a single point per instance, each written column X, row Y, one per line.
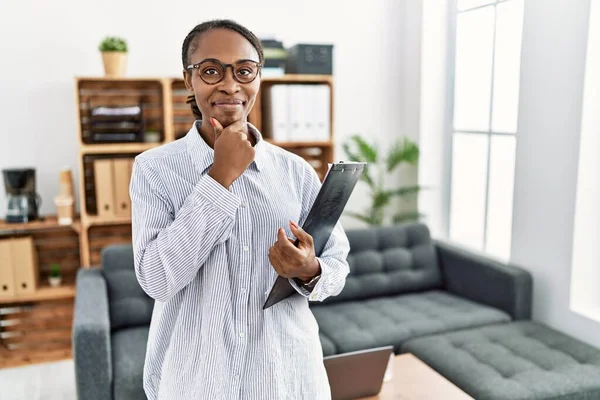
column 233, row 152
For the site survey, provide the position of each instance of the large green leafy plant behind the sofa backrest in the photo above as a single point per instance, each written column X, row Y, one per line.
column 404, row 151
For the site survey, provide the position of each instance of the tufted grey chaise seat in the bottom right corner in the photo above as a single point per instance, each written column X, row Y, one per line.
column 515, row 361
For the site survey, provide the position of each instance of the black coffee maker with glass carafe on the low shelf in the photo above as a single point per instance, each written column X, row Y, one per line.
column 22, row 200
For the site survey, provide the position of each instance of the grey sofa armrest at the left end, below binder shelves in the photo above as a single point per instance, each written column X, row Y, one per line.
column 91, row 337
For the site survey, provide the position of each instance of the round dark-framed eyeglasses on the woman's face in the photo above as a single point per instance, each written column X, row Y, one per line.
column 212, row 71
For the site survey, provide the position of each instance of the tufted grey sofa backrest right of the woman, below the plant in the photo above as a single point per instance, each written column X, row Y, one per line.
column 387, row 261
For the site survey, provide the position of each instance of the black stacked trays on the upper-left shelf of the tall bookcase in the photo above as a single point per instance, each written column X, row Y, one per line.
column 110, row 124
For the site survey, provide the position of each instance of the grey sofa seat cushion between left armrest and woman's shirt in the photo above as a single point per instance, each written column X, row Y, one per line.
column 128, row 355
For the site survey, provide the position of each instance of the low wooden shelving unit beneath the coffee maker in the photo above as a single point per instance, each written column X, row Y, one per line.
column 36, row 327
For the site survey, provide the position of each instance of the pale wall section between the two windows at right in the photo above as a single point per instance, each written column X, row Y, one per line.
column 552, row 76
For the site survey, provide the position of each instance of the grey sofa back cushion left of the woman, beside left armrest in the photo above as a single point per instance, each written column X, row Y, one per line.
column 129, row 305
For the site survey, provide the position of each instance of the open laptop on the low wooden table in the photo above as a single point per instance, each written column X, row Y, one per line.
column 357, row 374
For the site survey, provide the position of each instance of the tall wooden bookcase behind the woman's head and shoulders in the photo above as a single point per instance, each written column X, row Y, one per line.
column 164, row 103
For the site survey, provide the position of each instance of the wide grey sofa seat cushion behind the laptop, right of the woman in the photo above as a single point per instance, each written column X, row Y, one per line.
column 393, row 320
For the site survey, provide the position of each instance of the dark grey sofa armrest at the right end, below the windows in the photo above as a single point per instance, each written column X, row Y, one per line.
column 481, row 279
